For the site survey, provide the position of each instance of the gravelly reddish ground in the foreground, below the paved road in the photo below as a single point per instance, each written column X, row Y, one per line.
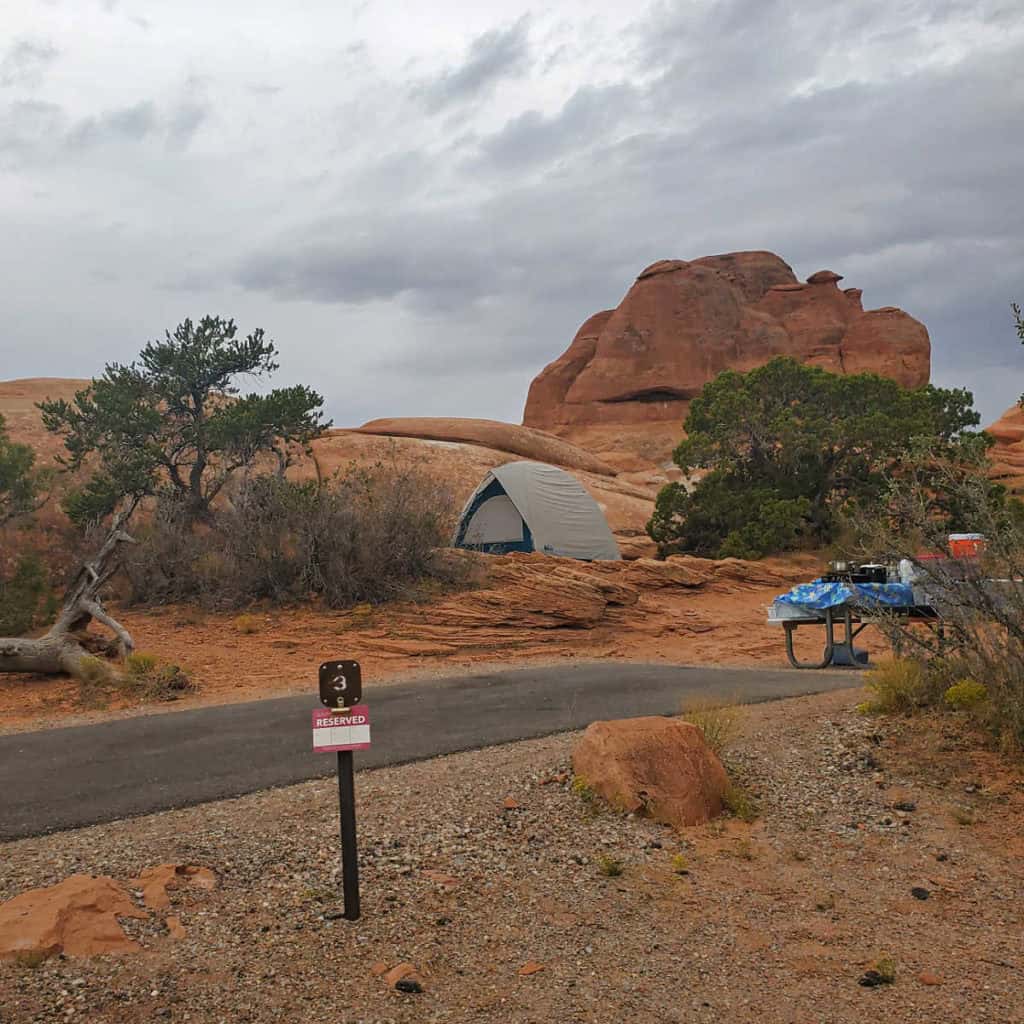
column 481, row 868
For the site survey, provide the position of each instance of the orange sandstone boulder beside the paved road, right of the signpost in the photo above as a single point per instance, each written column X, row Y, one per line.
column 661, row 769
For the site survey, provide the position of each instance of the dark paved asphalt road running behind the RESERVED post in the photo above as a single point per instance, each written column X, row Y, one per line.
column 65, row 779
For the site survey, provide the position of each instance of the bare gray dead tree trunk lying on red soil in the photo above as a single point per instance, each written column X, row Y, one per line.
column 61, row 651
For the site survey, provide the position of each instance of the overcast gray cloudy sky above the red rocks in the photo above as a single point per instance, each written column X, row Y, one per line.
column 422, row 202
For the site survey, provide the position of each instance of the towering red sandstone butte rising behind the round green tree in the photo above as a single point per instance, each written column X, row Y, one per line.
column 626, row 381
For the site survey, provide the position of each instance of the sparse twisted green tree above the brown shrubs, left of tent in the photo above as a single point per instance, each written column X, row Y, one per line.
column 174, row 420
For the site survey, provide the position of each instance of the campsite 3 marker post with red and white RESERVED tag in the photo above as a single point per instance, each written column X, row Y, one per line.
column 344, row 726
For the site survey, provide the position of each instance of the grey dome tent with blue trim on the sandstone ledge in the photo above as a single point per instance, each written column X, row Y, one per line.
column 530, row 506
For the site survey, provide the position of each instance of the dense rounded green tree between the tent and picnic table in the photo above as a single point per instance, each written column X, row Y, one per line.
column 787, row 448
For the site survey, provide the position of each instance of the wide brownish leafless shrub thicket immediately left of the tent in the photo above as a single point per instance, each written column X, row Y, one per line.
column 366, row 537
